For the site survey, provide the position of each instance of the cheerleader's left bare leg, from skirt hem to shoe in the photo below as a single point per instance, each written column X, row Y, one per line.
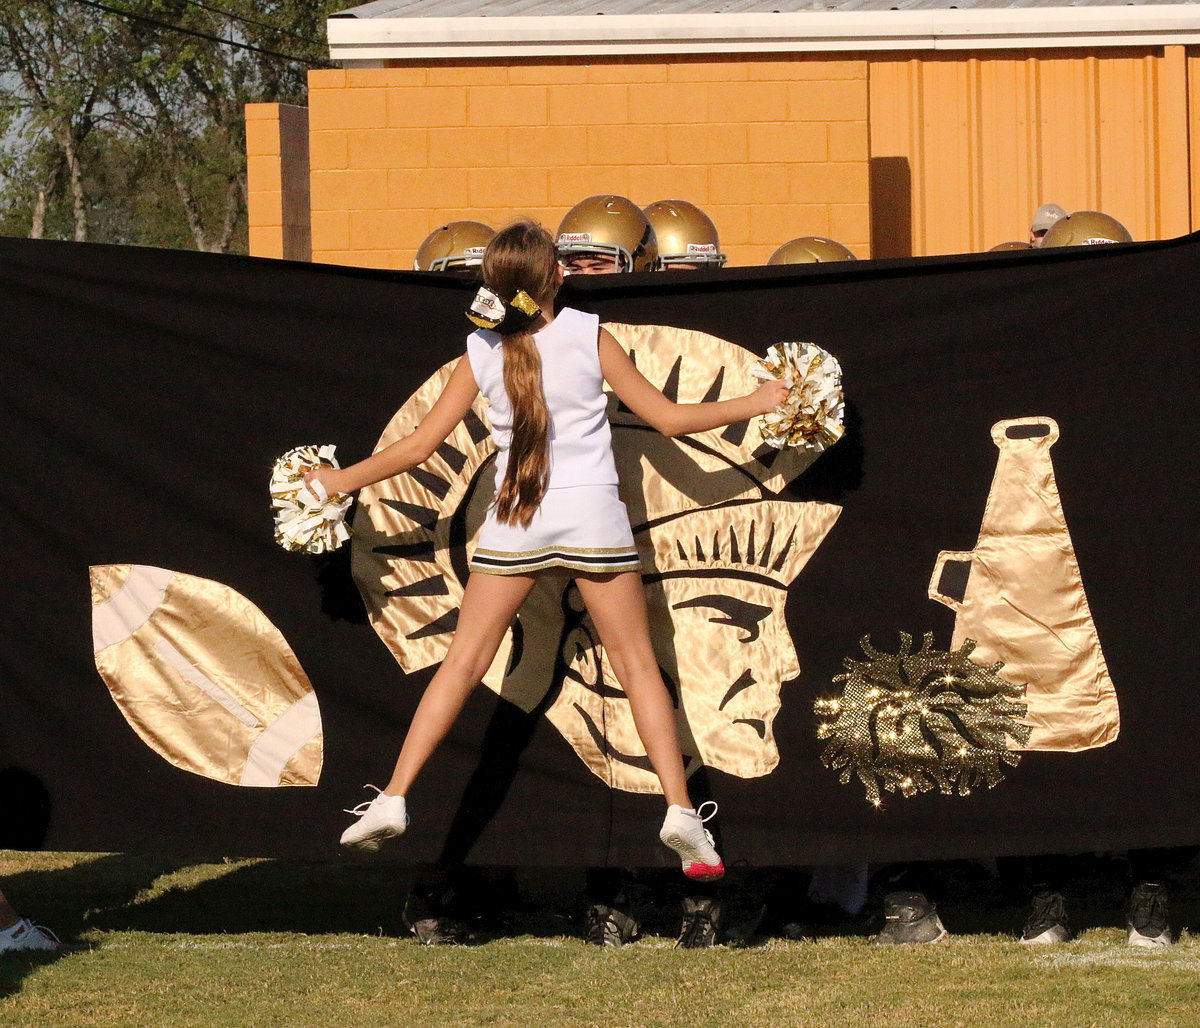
column 489, row 606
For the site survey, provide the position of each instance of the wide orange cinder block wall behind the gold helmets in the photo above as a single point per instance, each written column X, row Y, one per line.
column 770, row 148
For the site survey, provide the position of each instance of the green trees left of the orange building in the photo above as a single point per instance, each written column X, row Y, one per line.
column 129, row 128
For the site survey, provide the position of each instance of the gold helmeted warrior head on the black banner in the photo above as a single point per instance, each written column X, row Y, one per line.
column 718, row 556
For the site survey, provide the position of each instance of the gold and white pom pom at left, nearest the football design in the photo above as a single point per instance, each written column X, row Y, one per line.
column 307, row 518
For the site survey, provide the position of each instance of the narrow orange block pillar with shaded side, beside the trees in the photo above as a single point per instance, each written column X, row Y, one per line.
column 278, row 181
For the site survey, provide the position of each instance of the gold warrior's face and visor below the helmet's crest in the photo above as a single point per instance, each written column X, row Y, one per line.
column 716, row 586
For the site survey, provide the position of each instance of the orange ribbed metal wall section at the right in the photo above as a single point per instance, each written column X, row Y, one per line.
column 992, row 136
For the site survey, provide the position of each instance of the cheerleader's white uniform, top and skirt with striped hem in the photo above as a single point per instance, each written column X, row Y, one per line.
column 581, row 524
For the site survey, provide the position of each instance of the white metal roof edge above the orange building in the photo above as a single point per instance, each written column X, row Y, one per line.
column 383, row 39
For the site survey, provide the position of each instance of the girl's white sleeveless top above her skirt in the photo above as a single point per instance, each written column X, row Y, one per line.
column 580, row 438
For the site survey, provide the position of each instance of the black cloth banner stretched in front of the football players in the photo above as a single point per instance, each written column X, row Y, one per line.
column 146, row 395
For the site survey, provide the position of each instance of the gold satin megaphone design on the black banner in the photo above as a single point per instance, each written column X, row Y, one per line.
column 1021, row 597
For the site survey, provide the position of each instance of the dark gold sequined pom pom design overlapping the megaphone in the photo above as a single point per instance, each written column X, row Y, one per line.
column 909, row 723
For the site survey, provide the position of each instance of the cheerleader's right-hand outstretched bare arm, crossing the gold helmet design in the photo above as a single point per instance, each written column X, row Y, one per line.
column 679, row 419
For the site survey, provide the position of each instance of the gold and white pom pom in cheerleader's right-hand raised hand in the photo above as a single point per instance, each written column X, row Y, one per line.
column 814, row 413
